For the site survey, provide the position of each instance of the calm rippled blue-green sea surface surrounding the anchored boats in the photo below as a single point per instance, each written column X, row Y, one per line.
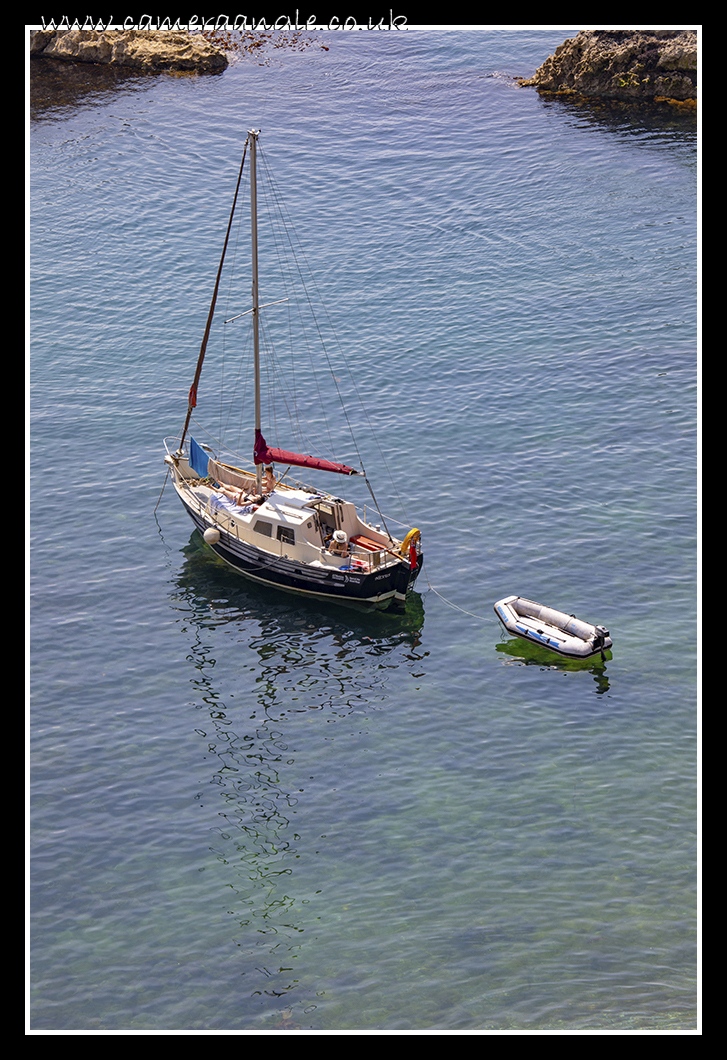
column 253, row 812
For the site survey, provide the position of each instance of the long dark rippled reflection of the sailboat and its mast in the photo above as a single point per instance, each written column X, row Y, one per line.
column 276, row 683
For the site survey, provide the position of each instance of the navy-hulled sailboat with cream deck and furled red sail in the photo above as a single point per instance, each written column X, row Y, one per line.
column 264, row 524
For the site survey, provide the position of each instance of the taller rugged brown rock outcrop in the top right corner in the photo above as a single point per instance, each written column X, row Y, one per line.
column 629, row 65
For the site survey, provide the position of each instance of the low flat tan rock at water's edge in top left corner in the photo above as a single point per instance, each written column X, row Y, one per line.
column 146, row 50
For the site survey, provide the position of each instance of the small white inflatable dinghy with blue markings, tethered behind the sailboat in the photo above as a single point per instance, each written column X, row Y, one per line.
column 554, row 630
